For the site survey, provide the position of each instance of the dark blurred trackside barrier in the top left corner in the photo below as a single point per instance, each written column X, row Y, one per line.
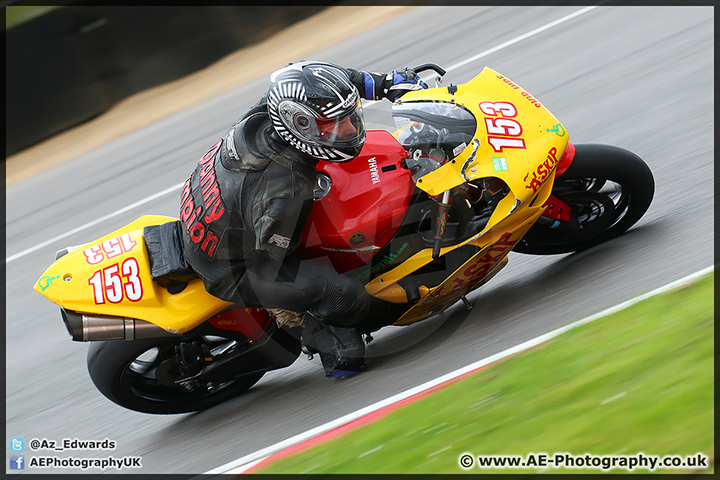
column 68, row 64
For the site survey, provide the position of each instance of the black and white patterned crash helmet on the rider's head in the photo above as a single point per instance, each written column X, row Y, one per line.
column 316, row 108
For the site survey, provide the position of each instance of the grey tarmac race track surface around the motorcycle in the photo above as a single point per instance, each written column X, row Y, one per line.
column 637, row 77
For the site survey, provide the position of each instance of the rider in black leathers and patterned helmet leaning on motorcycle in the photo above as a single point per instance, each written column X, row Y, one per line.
column 244, row 208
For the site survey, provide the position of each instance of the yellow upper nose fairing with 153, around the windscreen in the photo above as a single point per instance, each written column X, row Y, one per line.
column 539, row 136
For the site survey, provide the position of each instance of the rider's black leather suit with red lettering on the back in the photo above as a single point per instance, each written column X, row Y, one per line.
column 243, row 211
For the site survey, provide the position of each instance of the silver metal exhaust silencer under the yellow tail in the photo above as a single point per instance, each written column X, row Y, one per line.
column 91, row 328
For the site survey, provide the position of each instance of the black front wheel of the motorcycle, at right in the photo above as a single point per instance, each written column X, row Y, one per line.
column 608, row 189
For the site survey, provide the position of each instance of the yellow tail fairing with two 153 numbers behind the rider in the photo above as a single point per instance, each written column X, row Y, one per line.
column 111, row 276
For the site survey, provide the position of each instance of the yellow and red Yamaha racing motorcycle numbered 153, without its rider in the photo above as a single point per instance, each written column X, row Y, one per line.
column 423, row 216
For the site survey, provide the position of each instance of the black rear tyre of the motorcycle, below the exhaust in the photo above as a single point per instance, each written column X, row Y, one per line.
column 133, row 375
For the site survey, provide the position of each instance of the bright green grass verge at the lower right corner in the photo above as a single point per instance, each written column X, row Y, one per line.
column 640, row 380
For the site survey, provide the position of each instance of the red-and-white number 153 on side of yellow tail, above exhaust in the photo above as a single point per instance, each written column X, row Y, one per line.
column 116, row 282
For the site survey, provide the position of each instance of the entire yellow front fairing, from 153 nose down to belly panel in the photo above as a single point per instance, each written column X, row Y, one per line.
column 524, row 155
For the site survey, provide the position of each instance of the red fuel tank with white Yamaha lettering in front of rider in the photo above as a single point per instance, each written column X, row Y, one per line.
column 365, row 206
